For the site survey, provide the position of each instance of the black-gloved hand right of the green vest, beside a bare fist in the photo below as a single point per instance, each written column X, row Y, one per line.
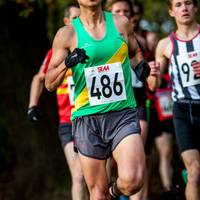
column 142, row 70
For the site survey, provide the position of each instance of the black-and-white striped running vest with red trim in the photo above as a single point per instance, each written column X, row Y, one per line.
column 184, row 82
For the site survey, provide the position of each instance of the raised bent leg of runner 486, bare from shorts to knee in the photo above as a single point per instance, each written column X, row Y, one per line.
column 130, row 158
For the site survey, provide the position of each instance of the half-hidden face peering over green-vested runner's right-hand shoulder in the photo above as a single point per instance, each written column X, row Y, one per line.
column 121, row 8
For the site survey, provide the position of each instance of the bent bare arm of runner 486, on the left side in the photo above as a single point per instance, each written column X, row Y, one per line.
column 57, row 68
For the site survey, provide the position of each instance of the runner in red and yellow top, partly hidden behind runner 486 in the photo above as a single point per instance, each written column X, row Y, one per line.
column 65, row 104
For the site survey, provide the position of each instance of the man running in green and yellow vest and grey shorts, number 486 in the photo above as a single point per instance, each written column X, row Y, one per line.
column 97, row 47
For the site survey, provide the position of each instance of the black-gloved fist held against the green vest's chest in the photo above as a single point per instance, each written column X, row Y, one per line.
column 77, row 56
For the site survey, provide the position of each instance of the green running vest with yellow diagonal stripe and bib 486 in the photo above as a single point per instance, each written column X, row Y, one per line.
column 103, row 83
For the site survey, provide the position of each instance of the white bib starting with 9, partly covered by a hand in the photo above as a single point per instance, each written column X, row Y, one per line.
column 185, row 61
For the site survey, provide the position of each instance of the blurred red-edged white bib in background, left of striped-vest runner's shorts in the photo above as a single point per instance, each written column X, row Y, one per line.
column 164, row 103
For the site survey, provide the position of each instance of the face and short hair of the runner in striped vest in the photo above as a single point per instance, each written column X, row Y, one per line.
column 183, row 11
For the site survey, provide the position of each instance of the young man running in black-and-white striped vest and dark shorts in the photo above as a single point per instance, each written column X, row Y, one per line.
column 182, row 50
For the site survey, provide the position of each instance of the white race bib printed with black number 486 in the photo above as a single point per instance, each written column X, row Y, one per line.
column 105, row 83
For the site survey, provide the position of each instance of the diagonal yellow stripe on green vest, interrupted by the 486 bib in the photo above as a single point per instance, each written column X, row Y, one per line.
column 119, row 56
